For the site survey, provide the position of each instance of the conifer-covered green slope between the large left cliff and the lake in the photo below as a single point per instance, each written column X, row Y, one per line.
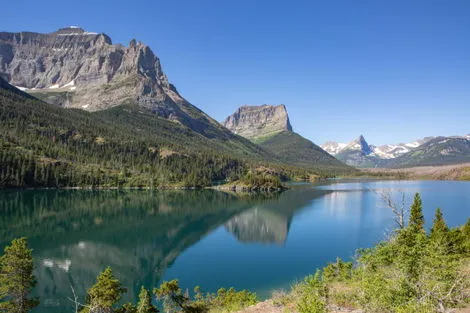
column 42, row 145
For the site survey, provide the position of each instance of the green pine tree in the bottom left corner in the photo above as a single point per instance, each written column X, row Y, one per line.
column 16, row 278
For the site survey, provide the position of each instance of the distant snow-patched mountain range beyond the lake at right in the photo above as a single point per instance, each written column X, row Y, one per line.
column 426, row 151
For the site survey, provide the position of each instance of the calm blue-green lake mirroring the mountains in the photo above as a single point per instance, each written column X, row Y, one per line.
column 259, row 242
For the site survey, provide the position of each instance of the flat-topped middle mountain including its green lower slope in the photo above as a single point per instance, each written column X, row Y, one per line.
column 270, row 128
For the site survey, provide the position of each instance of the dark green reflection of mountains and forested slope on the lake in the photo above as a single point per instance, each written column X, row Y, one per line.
column 75, row 234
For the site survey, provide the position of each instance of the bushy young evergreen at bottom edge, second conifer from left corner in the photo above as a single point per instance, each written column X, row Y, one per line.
column 104, row 294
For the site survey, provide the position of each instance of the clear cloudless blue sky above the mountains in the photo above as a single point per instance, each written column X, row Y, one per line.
column 393, row 70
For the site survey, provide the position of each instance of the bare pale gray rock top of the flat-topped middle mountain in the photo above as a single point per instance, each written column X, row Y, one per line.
column 254, row 122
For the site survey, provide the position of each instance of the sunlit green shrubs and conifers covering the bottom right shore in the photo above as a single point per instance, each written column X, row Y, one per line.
column 412, row 272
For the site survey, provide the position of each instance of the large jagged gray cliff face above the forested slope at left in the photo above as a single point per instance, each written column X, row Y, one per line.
column 78, row 69
